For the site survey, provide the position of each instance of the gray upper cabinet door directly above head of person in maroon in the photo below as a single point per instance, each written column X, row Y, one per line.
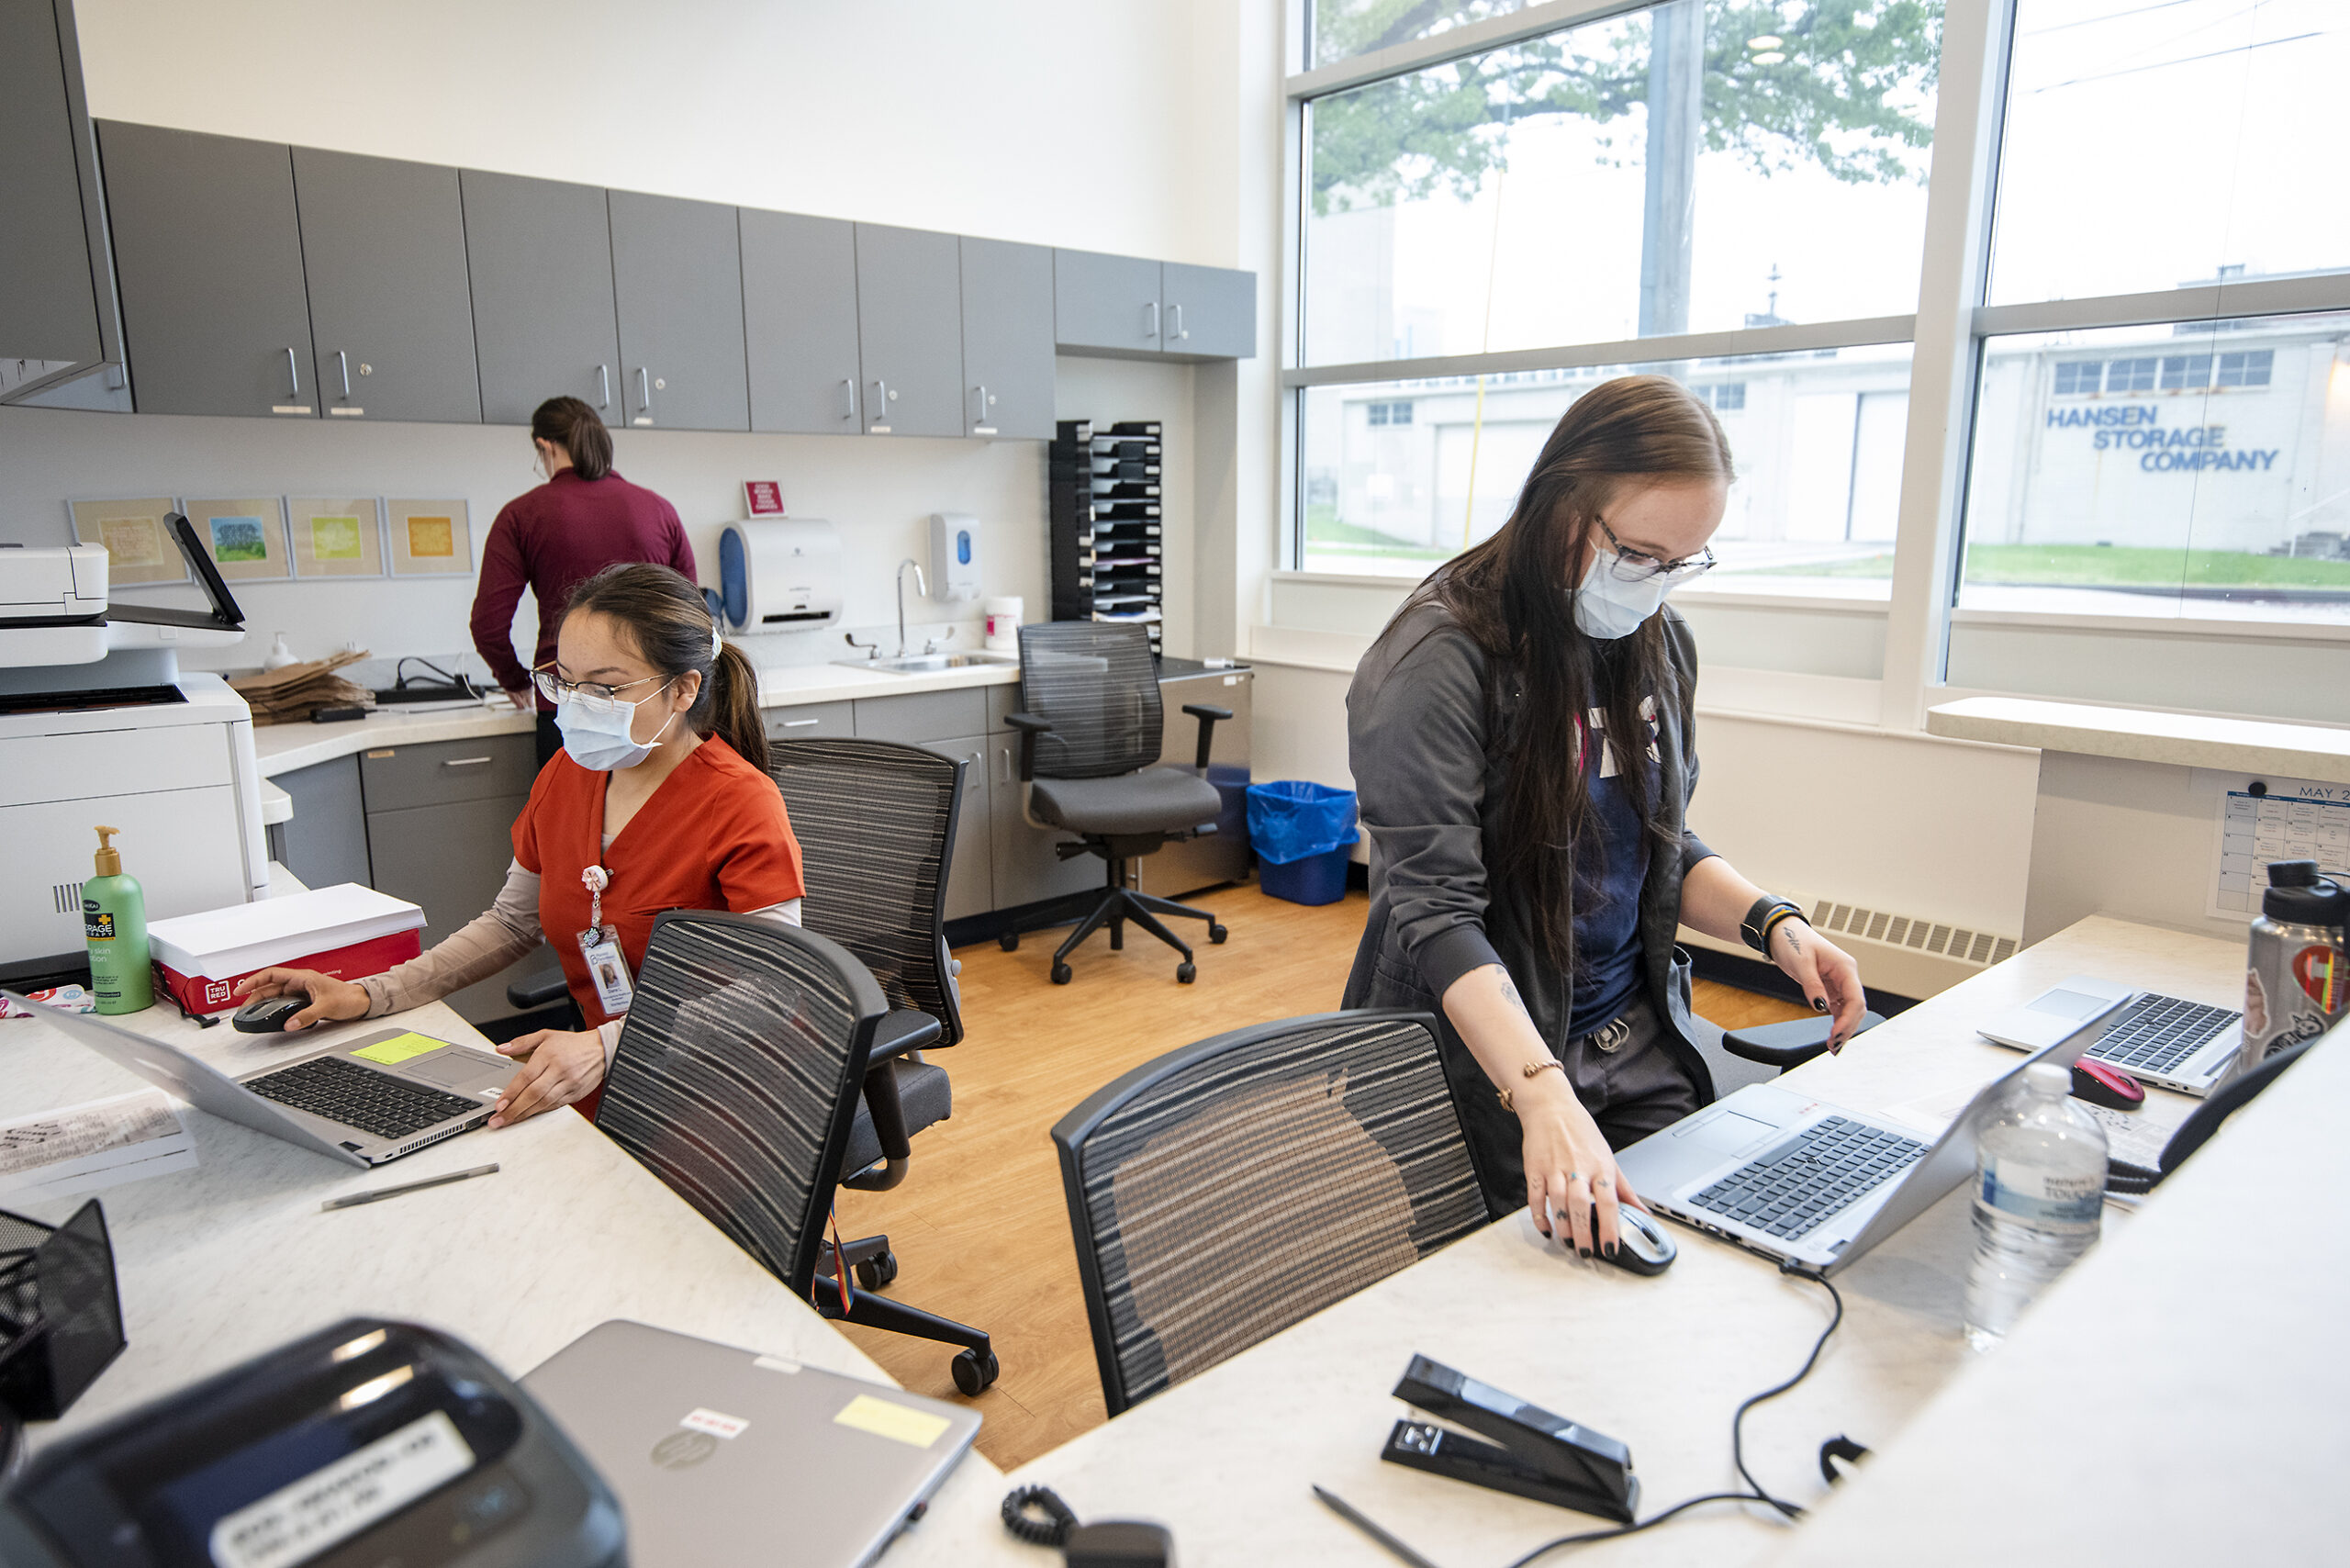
column 542, row 295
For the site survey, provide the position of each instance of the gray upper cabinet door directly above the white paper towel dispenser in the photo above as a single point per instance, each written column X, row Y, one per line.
column 800, row 323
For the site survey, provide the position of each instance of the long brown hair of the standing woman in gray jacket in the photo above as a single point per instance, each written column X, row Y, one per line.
column 1515, row 596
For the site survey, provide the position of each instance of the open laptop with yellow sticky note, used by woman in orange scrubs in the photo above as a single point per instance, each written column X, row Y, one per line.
column 365, row 1099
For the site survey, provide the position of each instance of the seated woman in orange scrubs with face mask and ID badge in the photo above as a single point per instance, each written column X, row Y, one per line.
column 659, row 800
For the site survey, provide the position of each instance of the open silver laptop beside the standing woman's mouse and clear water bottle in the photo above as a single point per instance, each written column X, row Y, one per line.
column 1808, row 1181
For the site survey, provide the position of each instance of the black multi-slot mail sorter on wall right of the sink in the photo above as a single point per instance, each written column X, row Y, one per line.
column 1108, row 532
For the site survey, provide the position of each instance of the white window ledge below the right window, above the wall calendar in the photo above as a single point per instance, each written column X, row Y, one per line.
column 2180, row 739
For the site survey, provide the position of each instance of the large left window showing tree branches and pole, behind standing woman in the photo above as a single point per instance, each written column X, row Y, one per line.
column 1738, row 177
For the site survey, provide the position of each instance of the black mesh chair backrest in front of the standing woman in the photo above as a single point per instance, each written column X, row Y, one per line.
column 1195, row 1186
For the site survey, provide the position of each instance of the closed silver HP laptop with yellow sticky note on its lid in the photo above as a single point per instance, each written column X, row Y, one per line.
column 727, row 1459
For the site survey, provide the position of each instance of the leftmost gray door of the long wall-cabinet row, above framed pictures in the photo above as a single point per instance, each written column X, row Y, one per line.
column 208, row 257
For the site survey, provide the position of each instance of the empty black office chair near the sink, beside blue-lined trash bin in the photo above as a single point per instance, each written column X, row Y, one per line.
column 1089, row 742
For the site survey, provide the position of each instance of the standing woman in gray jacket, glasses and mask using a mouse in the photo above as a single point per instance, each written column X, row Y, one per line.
column 1522, row 742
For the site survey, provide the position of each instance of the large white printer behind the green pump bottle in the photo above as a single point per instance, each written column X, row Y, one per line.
column 98, row 725
